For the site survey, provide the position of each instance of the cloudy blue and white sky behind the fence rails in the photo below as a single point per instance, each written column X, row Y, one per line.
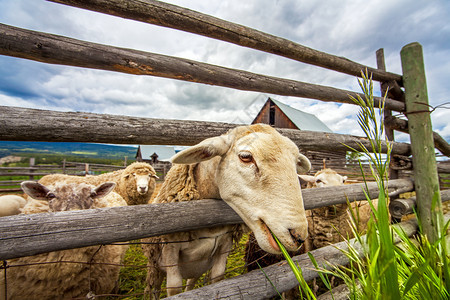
column 353, row 29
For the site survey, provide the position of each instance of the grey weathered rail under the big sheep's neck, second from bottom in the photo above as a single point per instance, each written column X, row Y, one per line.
column 24, row 235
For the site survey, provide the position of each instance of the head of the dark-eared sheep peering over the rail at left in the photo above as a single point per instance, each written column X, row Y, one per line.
column 67, row 196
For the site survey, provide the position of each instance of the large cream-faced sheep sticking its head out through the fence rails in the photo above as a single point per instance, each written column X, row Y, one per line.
column 253, row 169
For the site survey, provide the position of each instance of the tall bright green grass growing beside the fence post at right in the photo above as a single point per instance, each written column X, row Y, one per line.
column 412, row 269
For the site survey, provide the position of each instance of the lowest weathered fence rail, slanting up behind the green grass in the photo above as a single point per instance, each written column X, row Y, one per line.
column 255, row 285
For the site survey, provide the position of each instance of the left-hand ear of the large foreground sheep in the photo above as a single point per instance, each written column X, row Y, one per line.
column 205, row 150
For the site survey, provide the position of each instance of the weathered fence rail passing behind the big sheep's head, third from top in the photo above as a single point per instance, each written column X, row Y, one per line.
column 23, row 124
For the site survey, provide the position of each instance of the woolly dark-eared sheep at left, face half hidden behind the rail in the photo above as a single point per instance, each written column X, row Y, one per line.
column 67, row 273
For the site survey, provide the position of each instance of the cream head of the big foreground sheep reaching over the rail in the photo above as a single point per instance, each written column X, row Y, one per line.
column 256, row 174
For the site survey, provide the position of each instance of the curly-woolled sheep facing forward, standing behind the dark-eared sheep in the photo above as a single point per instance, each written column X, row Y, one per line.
column 135, row 183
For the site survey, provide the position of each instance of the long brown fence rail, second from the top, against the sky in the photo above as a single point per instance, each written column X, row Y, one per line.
column 56, row 49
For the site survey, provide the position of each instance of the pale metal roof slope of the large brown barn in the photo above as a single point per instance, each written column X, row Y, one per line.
column 301, row 119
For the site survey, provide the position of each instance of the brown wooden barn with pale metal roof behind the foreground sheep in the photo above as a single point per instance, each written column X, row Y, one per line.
column 280, row 115
